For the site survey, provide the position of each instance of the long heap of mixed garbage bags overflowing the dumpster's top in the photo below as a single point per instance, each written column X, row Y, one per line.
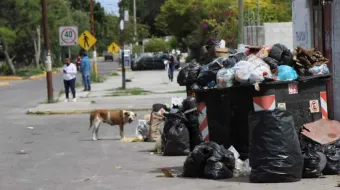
column 256, row 65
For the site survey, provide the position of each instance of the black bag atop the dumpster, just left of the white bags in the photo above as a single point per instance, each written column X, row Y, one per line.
column 208, row 73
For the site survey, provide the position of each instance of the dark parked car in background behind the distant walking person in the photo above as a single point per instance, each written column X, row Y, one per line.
column 155, row 61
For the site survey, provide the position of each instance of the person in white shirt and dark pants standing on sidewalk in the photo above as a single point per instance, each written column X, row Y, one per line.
column 69, row 75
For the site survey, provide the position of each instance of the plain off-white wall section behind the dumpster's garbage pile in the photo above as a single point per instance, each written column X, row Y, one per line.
column 279, row 33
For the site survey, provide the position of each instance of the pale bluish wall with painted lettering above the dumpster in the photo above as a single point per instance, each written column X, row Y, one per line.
column 302, row 24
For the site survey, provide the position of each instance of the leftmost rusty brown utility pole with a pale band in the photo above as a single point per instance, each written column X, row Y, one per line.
column 48, row 60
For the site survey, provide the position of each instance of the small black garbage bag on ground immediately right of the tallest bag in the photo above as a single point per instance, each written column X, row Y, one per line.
column 311, row 165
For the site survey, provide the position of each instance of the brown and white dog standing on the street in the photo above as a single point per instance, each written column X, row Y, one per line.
column 111, row 117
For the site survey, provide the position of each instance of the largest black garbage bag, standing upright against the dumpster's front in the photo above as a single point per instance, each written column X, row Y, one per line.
column 275, row 153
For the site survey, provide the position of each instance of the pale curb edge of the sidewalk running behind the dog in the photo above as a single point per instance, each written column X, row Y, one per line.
column 76, row 111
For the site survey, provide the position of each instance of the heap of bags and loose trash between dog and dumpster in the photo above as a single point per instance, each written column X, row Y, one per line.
column 175, row 129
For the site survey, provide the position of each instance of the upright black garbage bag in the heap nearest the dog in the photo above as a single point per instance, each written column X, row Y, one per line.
column 175, row 137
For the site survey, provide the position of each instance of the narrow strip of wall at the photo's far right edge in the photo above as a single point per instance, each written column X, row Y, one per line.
column 336, row 57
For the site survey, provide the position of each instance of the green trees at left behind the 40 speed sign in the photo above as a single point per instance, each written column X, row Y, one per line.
column 21, row 33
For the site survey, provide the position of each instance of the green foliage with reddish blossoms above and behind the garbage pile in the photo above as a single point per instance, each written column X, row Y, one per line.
column 193, row 22
